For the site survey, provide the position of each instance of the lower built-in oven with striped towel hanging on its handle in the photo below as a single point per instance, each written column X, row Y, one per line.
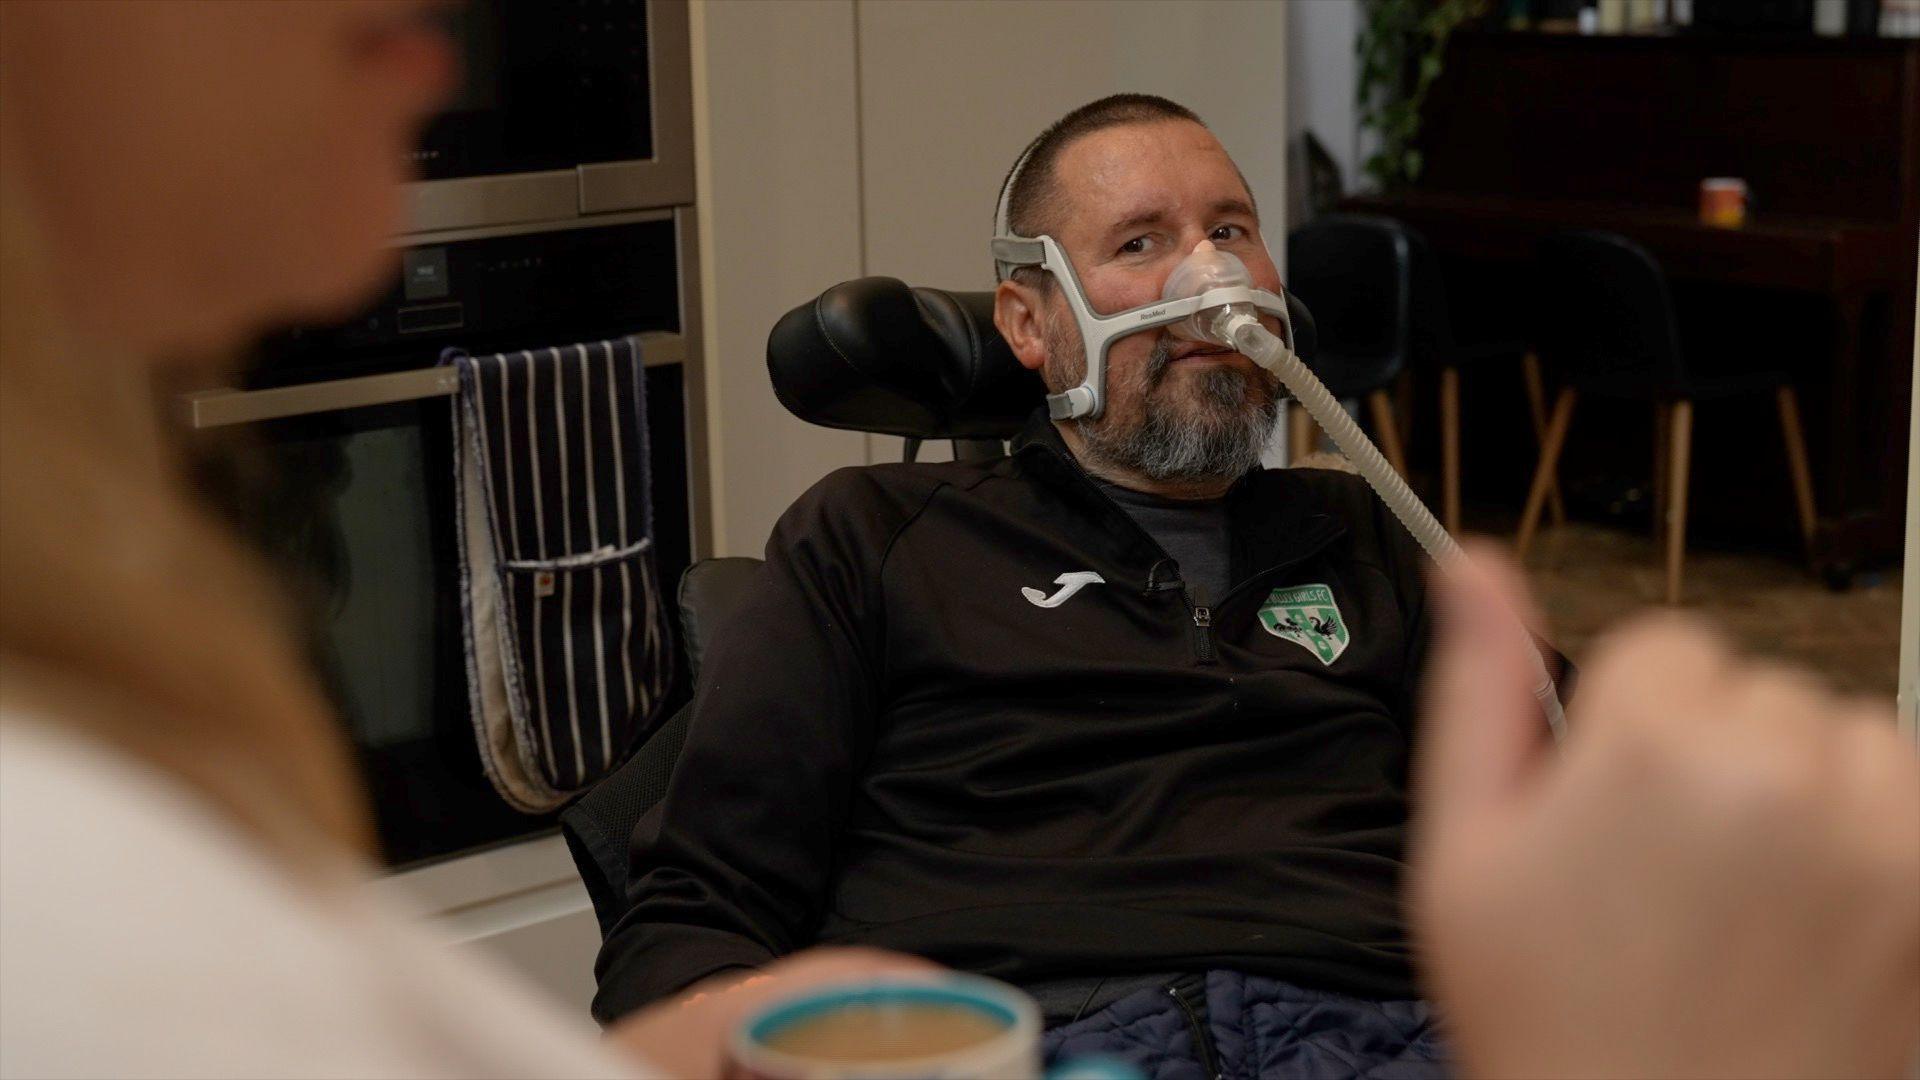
column 335, row 456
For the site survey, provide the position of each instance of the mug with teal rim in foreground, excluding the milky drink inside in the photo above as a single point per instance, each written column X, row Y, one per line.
column 1011, row 1052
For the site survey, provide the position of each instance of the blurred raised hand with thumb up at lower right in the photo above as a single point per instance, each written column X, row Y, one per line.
column 1716, row 875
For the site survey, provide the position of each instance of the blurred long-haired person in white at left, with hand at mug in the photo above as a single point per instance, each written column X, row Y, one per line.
column 183, row 835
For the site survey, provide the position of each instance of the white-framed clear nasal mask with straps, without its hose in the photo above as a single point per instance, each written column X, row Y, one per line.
column 1205, row 280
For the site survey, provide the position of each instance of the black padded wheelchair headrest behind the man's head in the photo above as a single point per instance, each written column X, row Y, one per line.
column 876, row 355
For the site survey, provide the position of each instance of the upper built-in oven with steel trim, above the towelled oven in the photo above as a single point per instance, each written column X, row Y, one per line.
column 565, row 109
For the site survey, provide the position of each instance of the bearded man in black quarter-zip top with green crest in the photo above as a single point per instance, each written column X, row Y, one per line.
column 1120, row 718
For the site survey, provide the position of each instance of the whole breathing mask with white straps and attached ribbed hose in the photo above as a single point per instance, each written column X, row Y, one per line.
column 1211, row 299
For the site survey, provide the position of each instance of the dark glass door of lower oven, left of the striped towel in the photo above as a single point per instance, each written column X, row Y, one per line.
column 354, row 512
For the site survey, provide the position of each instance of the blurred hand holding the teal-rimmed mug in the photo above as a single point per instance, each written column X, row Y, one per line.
column 686, row 1035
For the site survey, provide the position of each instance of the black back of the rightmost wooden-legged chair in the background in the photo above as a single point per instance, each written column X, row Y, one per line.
column 1604, row 316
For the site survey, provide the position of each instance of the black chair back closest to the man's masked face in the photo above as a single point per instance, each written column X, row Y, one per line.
column 1356, row 272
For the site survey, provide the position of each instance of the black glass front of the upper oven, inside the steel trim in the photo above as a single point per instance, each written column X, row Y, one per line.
column 546, row 86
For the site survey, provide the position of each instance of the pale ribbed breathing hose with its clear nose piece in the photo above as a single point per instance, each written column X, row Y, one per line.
column 1237, row 326
